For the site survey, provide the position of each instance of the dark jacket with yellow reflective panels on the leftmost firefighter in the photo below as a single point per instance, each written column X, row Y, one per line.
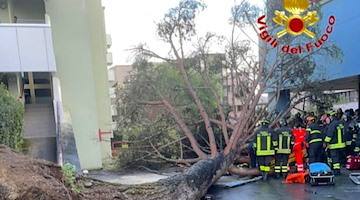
column 263, row 141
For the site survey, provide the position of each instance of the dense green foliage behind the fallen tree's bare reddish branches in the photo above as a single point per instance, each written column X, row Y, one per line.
column 146, row 125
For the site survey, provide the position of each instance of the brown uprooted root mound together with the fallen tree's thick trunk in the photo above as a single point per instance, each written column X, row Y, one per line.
column 22, row 177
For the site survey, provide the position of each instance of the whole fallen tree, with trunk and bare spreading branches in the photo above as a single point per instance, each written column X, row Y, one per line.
column 214, row 153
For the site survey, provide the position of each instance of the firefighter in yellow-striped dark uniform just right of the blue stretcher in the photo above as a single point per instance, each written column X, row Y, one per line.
column 334, row 141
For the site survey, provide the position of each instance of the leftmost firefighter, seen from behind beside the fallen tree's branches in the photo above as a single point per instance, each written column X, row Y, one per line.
column 264, row 147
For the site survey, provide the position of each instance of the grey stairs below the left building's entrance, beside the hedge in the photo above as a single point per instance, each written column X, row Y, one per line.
column 40, row 131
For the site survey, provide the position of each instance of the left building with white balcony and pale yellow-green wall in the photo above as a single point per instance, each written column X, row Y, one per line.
column 54, row 53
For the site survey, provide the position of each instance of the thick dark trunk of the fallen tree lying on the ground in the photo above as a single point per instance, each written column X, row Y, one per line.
column 193, row 184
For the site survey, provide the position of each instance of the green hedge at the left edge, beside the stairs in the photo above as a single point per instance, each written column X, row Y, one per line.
column 11, row 119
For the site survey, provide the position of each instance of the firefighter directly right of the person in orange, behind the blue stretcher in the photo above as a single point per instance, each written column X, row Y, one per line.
column 314, row 140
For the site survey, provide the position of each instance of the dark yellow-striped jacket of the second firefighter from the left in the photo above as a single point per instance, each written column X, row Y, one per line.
column 283, row 140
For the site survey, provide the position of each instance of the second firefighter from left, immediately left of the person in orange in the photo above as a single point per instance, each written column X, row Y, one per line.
column 283, row 143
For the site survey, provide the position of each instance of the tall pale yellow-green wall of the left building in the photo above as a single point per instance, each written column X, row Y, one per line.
column 80, row 52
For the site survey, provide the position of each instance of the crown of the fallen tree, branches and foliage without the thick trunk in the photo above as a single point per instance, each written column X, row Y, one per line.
column 248, row 77
